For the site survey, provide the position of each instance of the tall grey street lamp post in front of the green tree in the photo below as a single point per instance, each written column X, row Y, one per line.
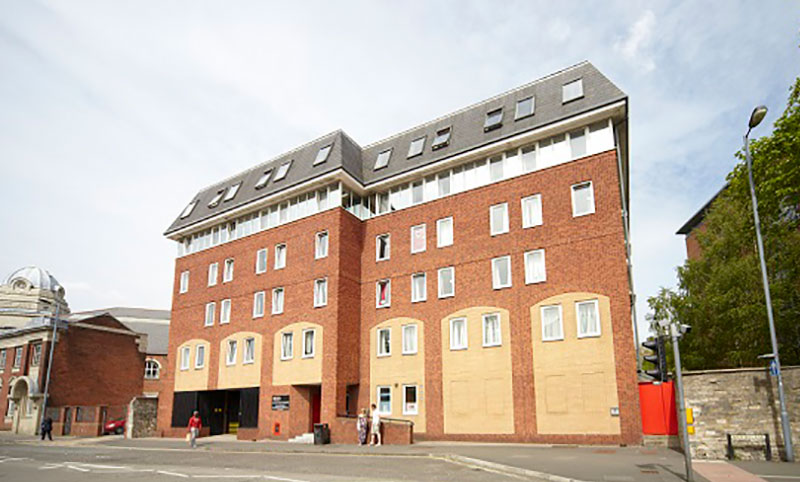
column 755, row 118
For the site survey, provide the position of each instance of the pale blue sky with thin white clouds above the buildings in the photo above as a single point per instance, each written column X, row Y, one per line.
column 113, row 114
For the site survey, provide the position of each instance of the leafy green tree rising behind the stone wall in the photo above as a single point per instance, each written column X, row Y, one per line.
column 721, row 295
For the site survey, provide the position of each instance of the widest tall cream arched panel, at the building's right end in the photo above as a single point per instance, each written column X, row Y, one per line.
column 575, row 378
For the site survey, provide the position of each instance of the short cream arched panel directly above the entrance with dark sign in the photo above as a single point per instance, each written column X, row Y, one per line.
column 297, row 370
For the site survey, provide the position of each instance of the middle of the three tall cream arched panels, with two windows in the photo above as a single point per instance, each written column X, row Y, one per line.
column 476, row 382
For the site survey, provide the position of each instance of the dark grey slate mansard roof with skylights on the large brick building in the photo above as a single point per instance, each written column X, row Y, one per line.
column 467, row 134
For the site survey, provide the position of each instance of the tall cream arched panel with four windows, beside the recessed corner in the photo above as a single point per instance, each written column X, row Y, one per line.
column 398, row 369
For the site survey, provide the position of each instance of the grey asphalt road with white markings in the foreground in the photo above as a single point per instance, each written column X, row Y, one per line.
column 36, row 462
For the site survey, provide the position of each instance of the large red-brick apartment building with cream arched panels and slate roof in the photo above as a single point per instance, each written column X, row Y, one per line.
column 468, row 275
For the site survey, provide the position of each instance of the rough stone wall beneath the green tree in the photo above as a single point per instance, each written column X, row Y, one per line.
column 741, row 401
